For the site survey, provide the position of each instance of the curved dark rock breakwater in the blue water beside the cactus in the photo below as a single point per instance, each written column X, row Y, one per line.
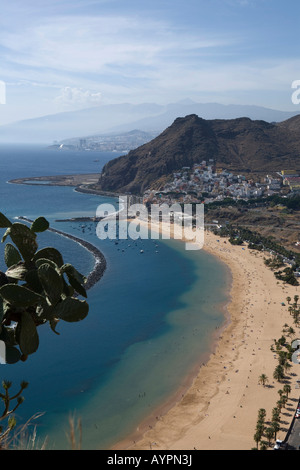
column 100, row 262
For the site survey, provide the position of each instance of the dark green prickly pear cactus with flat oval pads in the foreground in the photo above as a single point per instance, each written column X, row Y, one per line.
column 37, row 287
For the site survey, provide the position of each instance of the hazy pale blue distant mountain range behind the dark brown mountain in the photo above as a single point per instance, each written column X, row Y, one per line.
column 119, row 118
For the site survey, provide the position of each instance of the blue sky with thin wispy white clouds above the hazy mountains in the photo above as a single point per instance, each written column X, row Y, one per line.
column 64, row 55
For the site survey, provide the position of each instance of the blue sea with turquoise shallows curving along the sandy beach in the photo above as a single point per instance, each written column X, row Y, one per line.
column 152, row 316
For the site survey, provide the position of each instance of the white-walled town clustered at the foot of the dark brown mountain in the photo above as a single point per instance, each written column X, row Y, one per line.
column 206, row 183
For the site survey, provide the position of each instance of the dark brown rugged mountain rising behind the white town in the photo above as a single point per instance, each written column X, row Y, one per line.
column 239, row 145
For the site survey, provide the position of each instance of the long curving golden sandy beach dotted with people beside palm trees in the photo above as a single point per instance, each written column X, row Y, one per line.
column 219, row 410
